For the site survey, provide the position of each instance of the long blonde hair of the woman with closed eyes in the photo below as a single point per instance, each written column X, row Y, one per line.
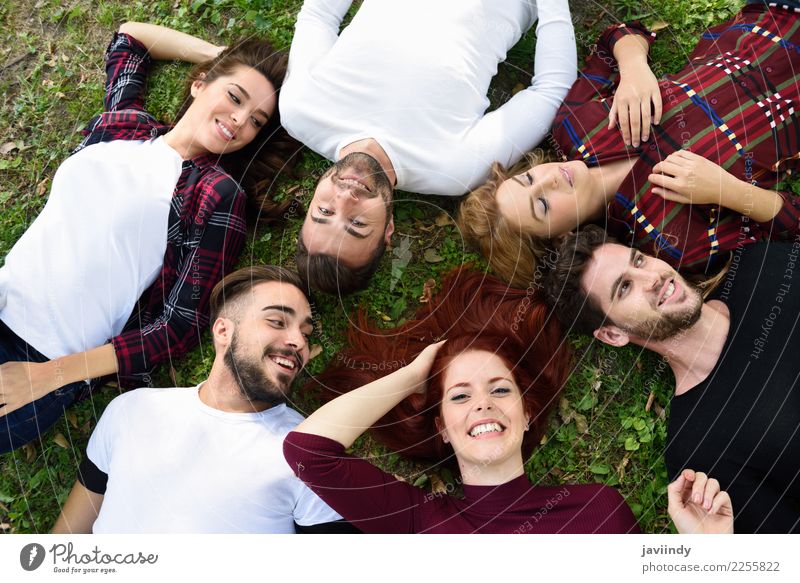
column 514, row 256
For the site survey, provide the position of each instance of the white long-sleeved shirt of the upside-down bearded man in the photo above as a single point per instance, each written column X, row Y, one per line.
column 414, row 75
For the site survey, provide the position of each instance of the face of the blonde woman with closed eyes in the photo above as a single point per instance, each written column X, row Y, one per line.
column 548, row 199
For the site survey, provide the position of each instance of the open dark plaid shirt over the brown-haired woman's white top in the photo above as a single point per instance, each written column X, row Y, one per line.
column 206, row 229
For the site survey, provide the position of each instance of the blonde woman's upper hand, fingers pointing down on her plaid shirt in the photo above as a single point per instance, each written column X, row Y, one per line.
column 637, row 90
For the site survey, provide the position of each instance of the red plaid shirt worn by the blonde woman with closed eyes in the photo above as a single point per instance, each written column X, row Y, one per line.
column 734, row 103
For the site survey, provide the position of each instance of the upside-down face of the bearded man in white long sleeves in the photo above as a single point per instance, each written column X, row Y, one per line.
column 350, row 211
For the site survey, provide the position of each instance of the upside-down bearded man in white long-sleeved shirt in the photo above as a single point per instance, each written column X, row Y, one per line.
column 399, row 99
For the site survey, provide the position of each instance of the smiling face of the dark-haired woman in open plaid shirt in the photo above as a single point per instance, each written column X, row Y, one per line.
column 228, row 112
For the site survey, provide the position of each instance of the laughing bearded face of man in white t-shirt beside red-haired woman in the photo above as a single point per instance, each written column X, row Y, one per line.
column 269, row 346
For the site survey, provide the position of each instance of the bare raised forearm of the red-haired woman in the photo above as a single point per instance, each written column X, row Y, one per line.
column 348, row 416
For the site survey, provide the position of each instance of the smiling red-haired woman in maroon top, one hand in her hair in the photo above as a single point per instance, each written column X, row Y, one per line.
column 481, row 399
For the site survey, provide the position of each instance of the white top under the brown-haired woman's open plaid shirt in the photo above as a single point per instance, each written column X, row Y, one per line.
column 71, row 281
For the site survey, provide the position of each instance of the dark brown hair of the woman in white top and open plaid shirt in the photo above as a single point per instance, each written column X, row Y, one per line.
column 272, row 152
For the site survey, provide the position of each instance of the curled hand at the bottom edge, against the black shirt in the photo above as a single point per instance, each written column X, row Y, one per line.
column 697, row 506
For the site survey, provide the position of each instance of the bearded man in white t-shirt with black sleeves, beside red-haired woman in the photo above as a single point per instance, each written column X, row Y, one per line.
column 208, row 459
